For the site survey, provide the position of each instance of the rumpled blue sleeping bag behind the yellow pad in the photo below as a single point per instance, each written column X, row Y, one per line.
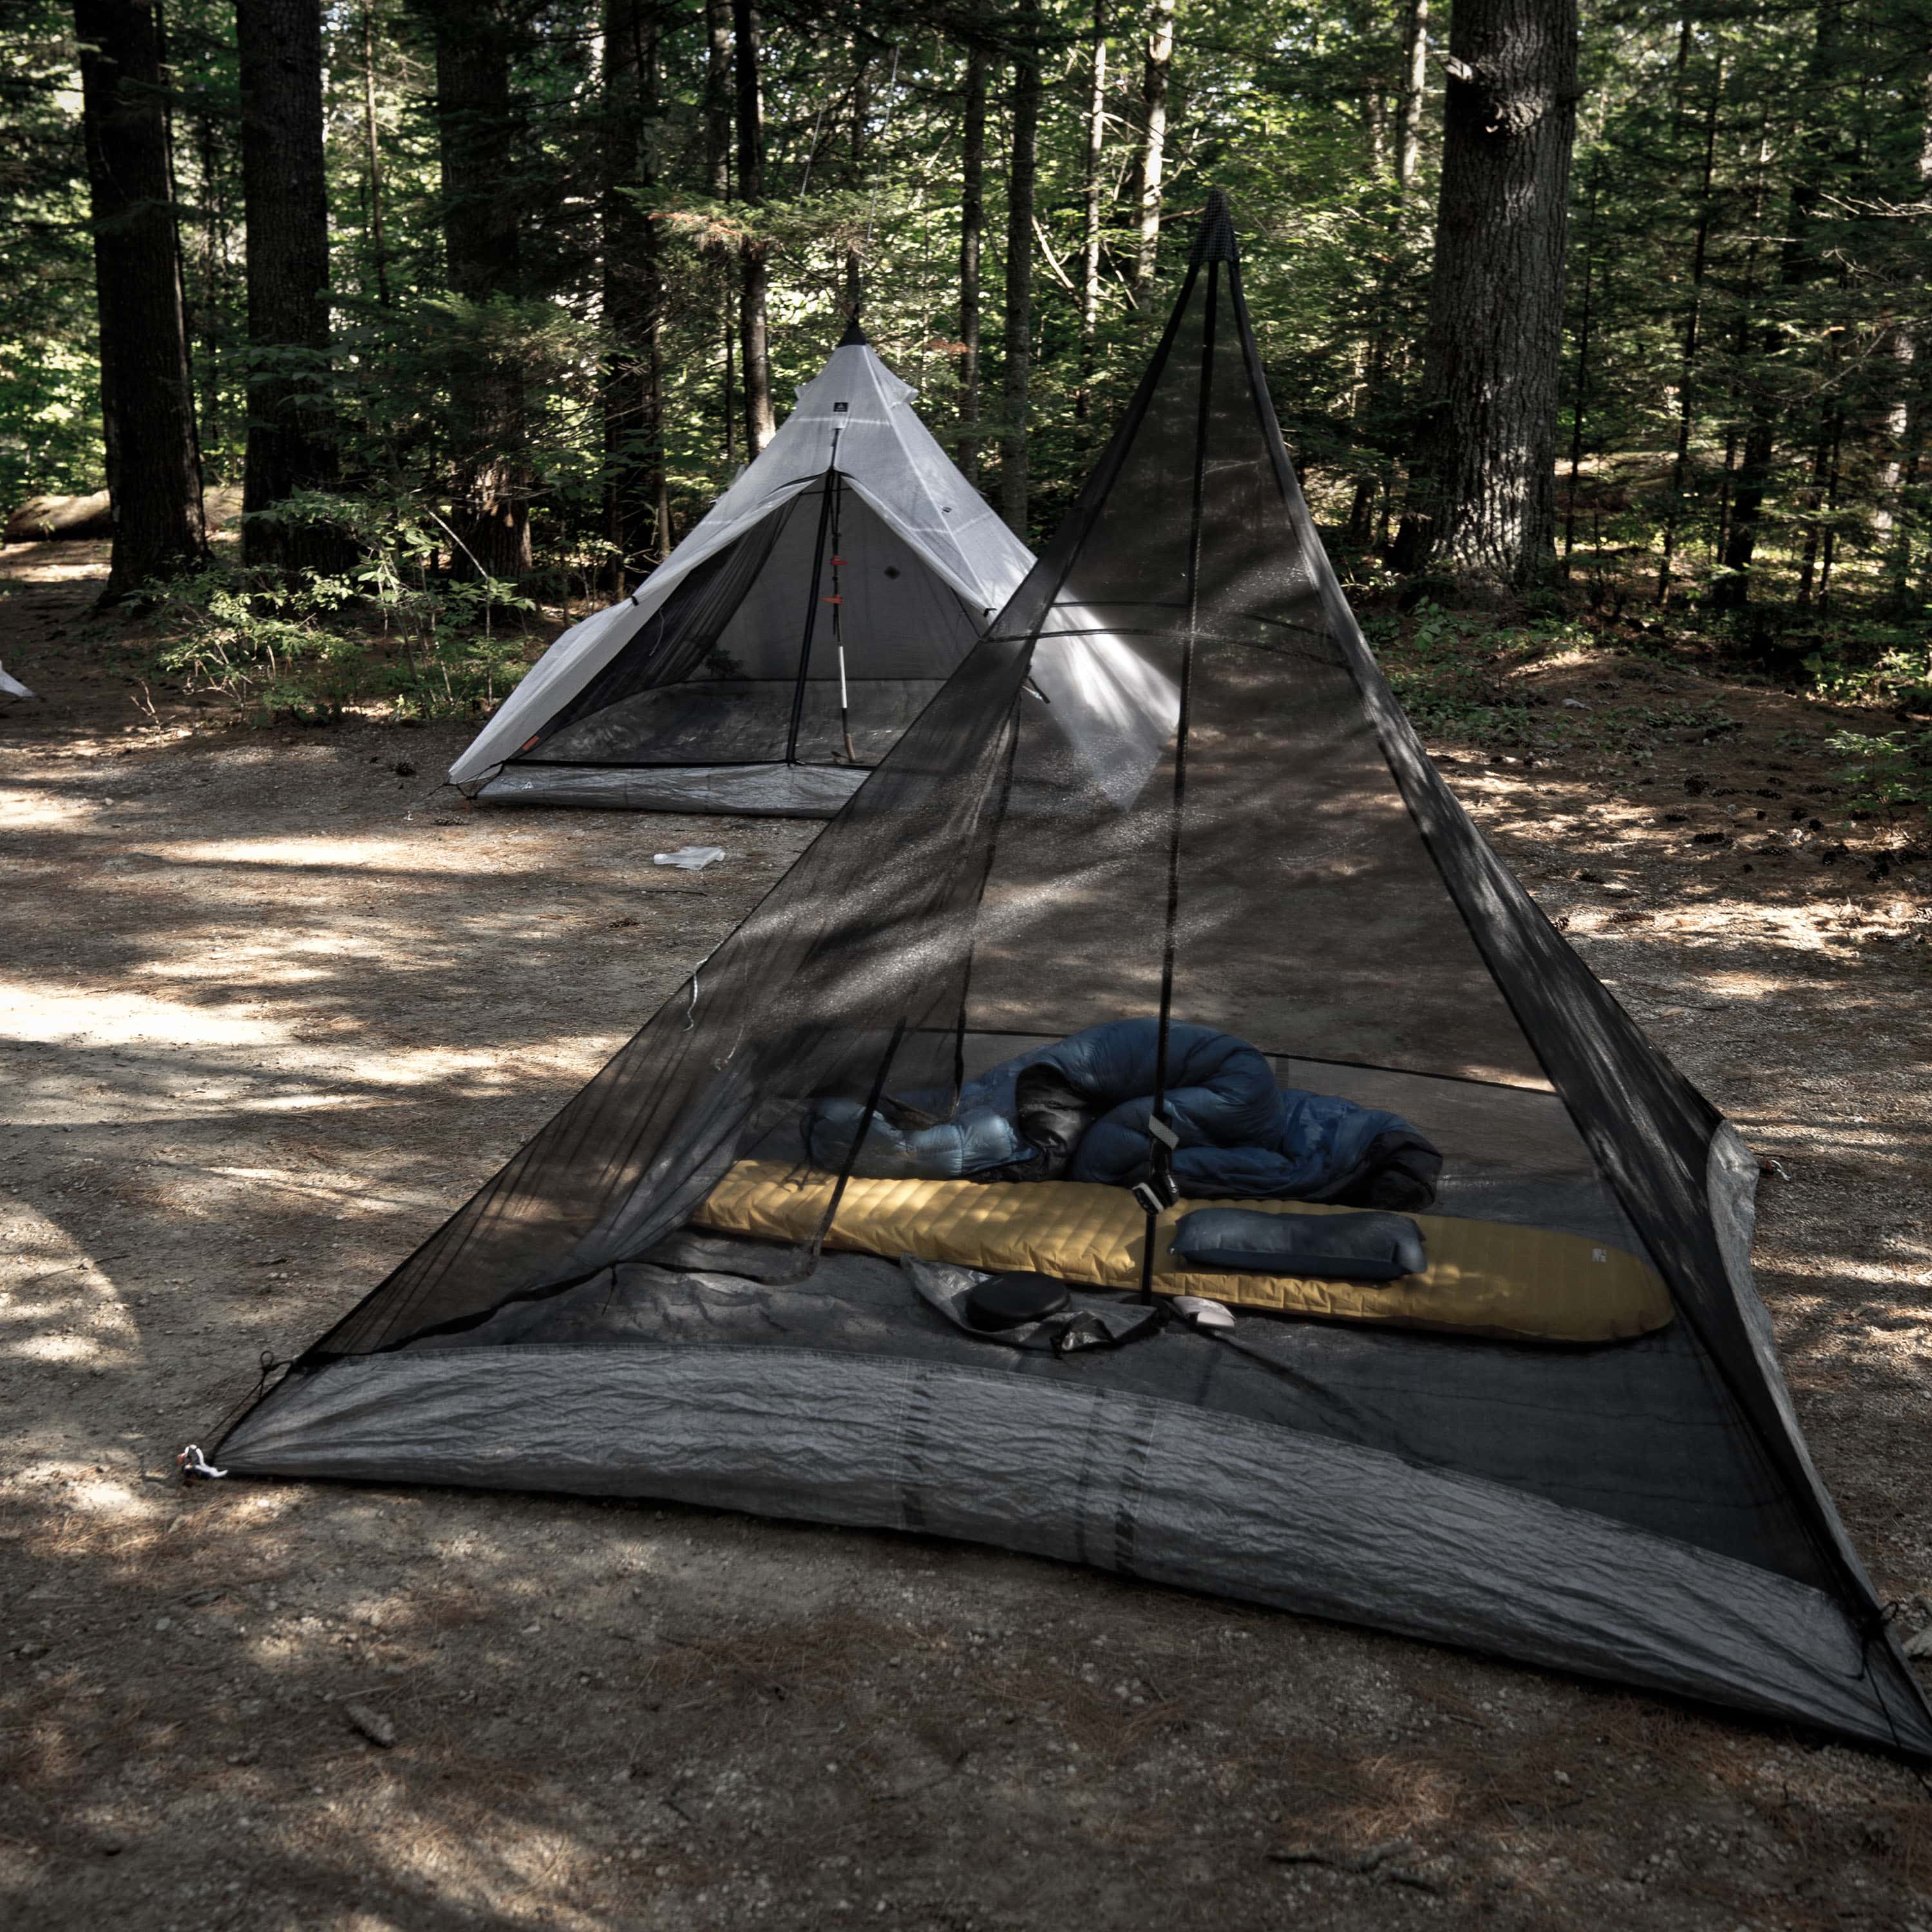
column 1079, row 1112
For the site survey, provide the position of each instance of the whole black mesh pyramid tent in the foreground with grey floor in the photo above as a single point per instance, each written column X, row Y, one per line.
column 1288, row 867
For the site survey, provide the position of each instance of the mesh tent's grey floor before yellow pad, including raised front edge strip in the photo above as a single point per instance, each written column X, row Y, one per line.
column 1363, row 1477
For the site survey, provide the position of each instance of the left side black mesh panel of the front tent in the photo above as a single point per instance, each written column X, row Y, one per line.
column 863, row 946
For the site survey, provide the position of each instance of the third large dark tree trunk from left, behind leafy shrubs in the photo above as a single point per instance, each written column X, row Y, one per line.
column 480, row 237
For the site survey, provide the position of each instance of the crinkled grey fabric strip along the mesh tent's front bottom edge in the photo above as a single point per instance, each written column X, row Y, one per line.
column 1062, row 1467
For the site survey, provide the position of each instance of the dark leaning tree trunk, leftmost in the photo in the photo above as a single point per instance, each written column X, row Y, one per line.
column 146, row 387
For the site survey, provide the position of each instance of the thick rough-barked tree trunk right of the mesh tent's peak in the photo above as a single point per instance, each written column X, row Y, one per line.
column 1496, row 300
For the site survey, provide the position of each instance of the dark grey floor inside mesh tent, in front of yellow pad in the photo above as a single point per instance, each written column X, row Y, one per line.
column 1626, row 1431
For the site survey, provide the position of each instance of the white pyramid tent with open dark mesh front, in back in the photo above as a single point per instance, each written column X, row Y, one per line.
column 781, row 650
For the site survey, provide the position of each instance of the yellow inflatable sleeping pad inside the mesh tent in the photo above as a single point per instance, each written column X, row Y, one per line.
column 1485, row 1278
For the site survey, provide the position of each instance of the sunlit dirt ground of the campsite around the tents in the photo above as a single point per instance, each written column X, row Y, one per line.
column 271, row 1006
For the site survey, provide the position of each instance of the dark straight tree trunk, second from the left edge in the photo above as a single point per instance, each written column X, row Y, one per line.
column 285, row 196
